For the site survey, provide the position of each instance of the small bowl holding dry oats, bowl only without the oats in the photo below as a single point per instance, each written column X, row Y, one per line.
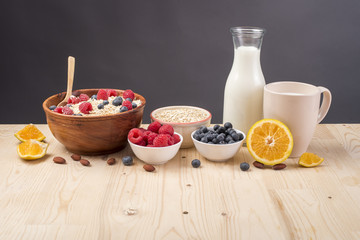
column 185, row 129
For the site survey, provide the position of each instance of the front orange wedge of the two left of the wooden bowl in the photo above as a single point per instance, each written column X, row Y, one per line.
column 32, row 149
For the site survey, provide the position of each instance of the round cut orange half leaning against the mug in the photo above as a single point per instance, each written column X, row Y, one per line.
column 269, row 141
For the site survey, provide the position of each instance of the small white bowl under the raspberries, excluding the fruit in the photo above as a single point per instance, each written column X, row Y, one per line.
column 156, row 155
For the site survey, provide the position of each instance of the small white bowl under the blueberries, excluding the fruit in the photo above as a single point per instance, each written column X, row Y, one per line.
column 218, row 152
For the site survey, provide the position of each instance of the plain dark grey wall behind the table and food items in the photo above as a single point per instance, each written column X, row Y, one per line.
column 173, row 52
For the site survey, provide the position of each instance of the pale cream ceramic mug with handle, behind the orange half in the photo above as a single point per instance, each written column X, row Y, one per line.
column 297, row 105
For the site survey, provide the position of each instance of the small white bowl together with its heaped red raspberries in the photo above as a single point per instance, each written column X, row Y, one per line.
column 155, row 145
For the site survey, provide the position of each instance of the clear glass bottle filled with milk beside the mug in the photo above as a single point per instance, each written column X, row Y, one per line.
column 243, row 97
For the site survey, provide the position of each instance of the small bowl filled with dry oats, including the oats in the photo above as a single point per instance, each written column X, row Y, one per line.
column 184, row 120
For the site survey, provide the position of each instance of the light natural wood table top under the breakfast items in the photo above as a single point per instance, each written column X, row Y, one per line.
column 43, row 200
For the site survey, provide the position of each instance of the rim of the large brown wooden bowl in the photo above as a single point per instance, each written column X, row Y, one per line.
column 97, row 117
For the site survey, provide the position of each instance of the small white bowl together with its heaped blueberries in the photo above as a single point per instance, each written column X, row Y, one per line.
column 218, row 143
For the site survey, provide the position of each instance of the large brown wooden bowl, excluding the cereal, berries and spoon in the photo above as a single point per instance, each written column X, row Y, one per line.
column 92, row 135
